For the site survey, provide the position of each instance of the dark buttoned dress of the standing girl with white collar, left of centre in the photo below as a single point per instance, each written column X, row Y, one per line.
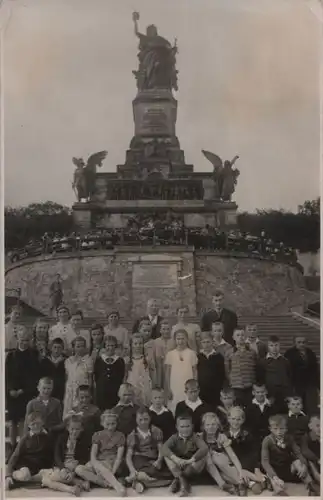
column 108, row 378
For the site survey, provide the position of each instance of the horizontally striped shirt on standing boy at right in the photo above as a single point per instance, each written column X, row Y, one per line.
column 242, row 368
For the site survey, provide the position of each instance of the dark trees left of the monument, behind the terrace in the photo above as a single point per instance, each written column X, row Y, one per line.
column 23, row 224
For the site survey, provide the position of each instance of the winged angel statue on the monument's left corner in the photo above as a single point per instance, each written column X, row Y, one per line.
column 84, row 174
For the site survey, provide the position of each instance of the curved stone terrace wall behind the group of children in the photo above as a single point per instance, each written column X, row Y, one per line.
column 125, row 278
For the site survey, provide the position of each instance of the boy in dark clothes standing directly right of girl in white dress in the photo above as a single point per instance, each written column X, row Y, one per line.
column 210, row 371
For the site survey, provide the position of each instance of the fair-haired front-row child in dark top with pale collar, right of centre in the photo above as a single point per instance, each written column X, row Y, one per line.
column 245, row 447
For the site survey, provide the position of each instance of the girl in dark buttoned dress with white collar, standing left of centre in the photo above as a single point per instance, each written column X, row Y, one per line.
column 109, row 372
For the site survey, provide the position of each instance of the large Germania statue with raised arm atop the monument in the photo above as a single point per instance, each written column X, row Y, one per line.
column 157, row 59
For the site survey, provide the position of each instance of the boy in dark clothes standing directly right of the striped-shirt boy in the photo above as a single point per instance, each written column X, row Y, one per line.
column 276, row 374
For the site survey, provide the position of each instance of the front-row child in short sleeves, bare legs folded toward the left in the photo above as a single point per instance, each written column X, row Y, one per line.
column 106, row 455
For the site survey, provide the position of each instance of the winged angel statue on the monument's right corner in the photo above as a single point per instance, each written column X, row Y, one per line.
column 224, row 176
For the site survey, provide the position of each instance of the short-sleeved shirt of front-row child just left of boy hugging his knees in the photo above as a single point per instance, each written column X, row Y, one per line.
column 145, row 445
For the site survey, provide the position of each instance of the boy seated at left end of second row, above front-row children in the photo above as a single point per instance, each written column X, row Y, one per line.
column 50, row 408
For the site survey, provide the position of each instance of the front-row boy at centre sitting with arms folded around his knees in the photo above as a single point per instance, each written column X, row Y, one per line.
column 185, row 455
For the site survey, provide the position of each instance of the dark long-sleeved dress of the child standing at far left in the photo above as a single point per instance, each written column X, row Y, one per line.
column 22, row 371
